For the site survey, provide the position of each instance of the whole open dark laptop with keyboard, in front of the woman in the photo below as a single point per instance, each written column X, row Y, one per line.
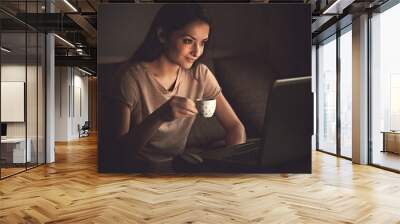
column 285, row 144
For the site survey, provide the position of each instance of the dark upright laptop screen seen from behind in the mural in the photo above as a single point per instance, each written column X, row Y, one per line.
column 288, row 126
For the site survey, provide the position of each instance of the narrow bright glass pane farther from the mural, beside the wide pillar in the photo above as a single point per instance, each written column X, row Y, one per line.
column 346, row 94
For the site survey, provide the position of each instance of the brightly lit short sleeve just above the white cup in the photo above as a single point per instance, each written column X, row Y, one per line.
column 211, row 86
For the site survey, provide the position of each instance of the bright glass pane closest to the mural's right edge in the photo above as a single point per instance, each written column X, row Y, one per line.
column 327, row 96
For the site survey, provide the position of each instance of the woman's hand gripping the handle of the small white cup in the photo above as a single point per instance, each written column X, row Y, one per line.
column 177, row 107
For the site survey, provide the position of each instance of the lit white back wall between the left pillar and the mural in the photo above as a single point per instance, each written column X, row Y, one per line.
column 70, row 94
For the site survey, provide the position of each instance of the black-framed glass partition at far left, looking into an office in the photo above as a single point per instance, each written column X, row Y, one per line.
column 22, row 65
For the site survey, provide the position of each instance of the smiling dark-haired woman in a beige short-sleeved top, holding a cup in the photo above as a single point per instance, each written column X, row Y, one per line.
column 158, row 87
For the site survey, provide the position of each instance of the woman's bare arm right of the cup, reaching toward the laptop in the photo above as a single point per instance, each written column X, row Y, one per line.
column 234, row 128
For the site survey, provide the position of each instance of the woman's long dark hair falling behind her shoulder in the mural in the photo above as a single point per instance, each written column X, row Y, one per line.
column 170, row 18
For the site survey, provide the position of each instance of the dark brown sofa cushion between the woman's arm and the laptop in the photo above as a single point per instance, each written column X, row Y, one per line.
column 246, row 82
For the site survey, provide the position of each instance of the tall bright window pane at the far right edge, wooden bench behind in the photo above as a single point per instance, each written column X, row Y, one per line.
column 385, row 83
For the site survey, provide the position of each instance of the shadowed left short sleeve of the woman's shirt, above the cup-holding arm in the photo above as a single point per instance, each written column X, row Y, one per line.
column 126, row 89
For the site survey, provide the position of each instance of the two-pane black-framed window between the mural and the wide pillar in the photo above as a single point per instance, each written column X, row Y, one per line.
column 335, row 74
